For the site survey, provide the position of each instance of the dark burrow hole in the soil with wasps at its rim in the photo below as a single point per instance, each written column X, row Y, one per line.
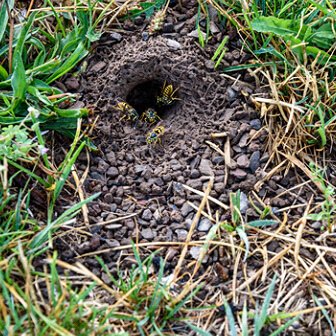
column 144, row 96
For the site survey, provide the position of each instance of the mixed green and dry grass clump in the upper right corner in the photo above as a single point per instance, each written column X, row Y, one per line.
column 294, row 46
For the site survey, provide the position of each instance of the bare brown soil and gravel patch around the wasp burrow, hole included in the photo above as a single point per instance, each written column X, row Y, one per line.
column 149, row 181
